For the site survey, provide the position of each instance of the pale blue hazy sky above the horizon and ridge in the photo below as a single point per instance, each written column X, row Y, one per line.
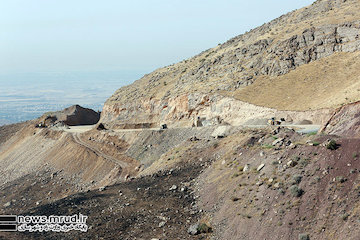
column 112, row 35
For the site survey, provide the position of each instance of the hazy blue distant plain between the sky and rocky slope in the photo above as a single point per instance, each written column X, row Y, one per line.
column 25, row 96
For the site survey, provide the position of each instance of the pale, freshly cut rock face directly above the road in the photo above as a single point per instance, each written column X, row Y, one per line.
column 198, row 110
